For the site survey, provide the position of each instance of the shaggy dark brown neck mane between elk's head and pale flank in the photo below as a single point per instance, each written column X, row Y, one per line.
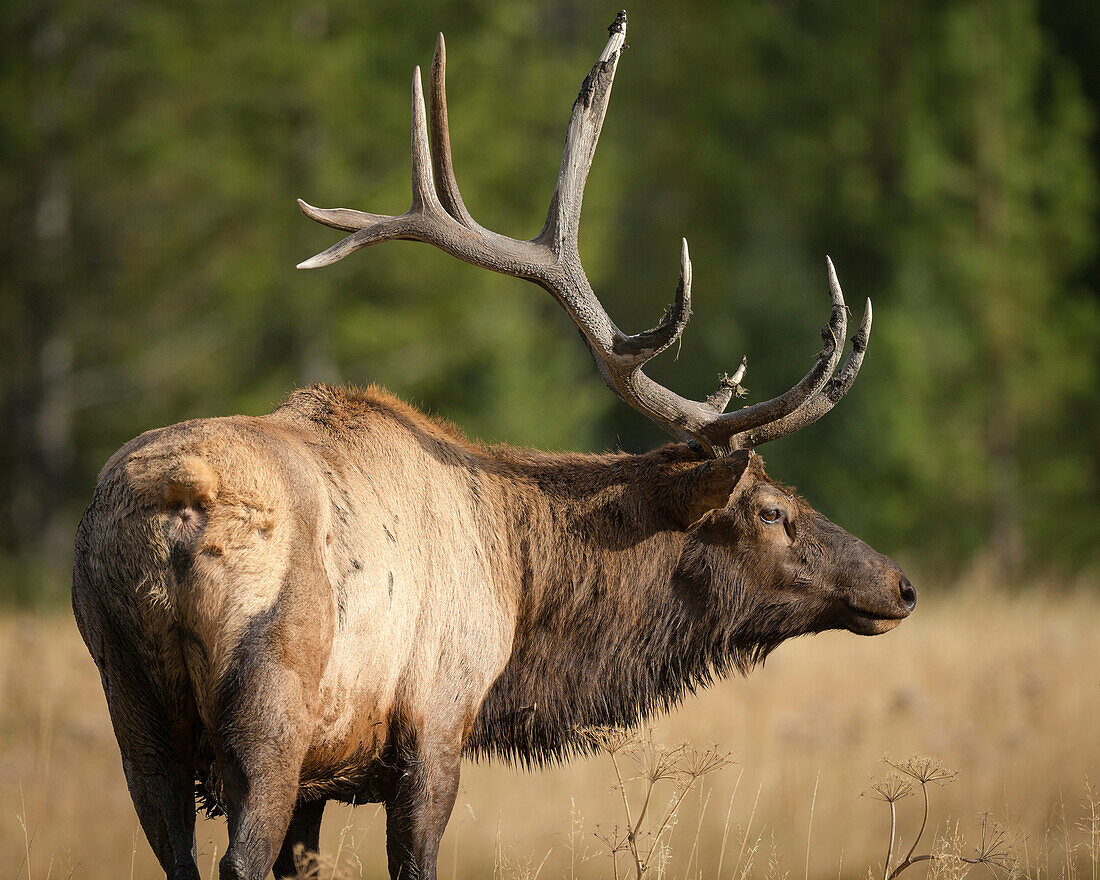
column 606, row 634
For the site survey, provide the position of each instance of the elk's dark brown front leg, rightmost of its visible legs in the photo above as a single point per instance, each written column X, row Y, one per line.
column 425, row 788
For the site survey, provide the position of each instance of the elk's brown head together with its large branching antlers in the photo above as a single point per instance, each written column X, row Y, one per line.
column 808, row 574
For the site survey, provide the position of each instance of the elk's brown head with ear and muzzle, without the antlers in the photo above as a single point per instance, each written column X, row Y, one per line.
column 807, row 575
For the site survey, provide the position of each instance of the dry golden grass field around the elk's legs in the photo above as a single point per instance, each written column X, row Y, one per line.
column 1006, row 689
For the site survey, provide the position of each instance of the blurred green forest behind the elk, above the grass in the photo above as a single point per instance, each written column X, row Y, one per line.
column 945, row 155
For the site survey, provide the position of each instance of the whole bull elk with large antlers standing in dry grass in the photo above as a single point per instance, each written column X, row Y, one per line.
column 343, row 599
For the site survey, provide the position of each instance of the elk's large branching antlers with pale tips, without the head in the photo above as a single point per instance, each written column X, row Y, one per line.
column 439, row 217
